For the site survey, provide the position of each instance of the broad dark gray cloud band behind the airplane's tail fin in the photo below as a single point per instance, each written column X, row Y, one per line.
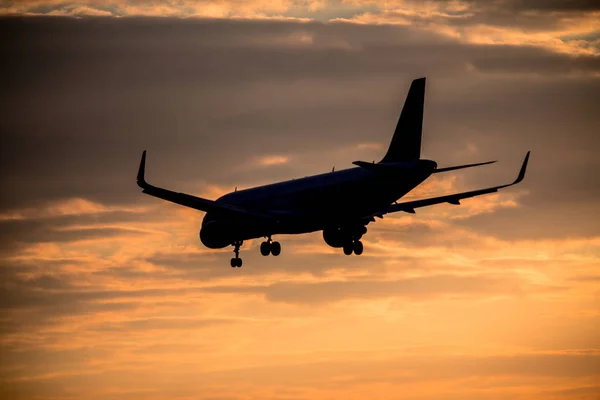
column 191, row 90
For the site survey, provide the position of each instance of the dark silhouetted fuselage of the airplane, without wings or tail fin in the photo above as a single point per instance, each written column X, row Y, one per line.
column 314, row 203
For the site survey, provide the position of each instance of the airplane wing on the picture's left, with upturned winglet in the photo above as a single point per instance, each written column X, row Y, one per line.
column 197, row 203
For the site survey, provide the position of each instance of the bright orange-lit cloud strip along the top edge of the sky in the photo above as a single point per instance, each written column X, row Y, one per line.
column 571, row 30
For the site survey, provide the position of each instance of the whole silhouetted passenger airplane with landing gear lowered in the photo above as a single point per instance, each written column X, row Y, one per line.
column 339, row 203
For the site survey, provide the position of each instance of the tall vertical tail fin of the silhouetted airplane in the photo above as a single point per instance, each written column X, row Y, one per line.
column 406, row 143
